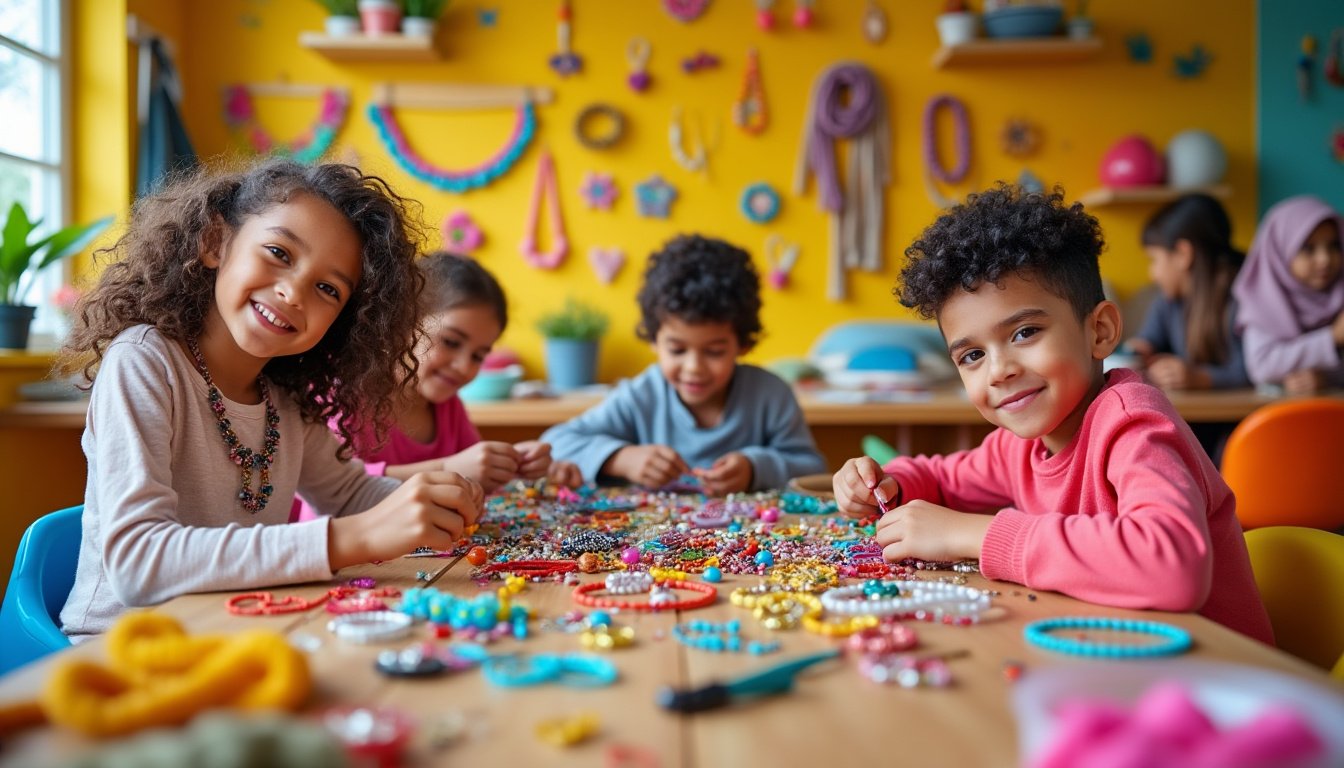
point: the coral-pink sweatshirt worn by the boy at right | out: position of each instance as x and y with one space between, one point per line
1131 513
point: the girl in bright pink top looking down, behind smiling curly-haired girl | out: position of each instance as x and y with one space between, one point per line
463 313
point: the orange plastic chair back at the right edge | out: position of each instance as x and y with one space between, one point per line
1286 463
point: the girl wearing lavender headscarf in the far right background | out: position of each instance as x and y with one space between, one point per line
1291 298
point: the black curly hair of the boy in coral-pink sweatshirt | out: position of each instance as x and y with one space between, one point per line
1006 232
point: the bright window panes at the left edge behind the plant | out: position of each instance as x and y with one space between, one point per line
33 135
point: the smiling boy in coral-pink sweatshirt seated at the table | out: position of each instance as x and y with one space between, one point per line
1093 485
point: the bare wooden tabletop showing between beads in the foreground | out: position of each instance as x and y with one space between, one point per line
834 714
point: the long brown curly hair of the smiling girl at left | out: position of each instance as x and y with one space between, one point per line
157 278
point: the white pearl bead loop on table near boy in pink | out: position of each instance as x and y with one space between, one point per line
920 601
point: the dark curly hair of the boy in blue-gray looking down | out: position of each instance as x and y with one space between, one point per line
701 280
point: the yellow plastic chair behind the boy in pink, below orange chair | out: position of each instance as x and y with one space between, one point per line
1300 575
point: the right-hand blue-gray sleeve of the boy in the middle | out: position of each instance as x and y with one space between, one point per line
788 450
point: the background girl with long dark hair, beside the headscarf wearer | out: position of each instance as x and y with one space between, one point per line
1187 341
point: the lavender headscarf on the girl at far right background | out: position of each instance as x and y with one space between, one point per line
1268 297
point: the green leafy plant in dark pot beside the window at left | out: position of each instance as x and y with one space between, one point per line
21 262
